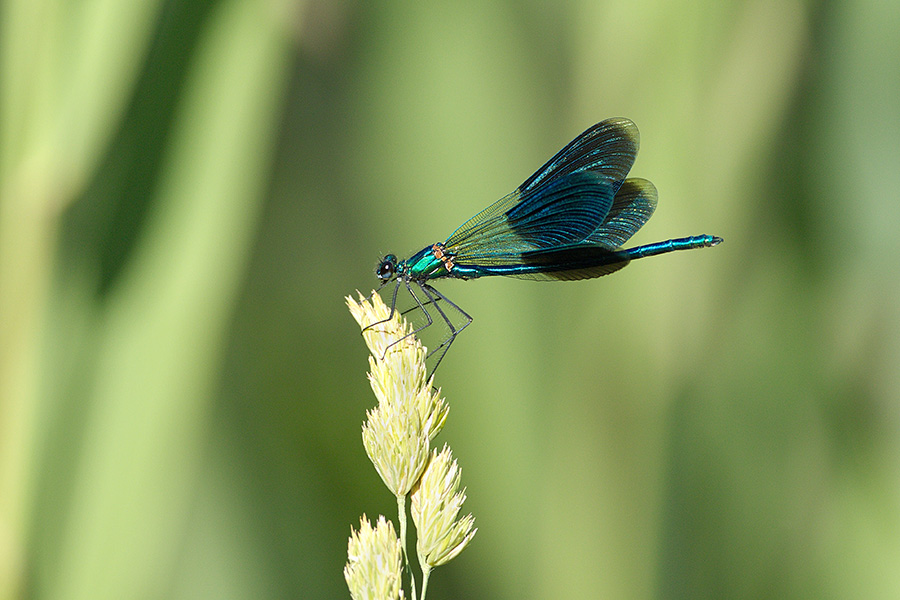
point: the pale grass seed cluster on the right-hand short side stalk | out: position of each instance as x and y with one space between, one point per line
435 505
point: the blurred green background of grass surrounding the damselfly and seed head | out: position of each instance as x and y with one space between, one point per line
189 189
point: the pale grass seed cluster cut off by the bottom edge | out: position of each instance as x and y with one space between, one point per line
374 562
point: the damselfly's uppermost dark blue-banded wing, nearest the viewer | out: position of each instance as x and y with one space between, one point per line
563 203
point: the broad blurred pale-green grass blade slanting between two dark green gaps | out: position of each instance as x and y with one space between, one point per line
165 323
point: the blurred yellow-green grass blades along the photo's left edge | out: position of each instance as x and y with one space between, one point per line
66 71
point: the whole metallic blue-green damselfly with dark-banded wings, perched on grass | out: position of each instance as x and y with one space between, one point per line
568 221
